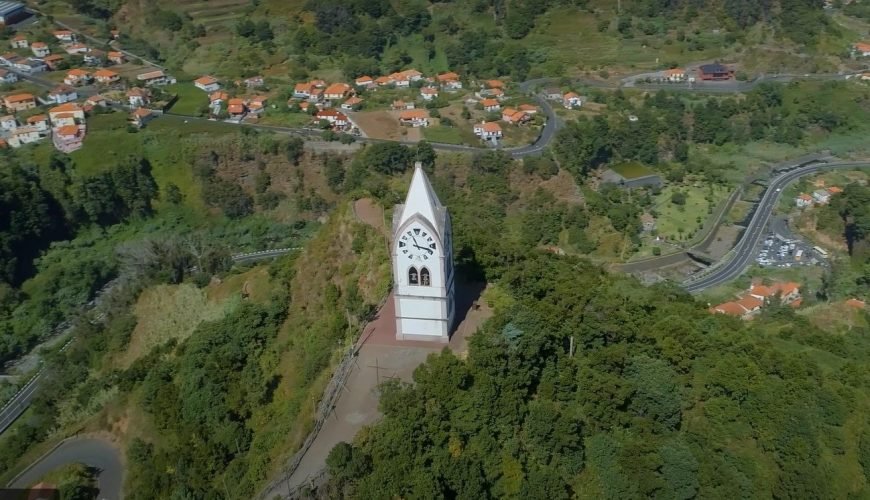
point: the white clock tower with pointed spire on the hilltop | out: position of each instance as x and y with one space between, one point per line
423 264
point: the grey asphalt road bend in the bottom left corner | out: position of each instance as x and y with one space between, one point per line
92 452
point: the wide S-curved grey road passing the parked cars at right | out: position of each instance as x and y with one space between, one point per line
744 251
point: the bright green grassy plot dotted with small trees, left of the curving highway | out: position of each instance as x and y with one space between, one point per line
671 217
